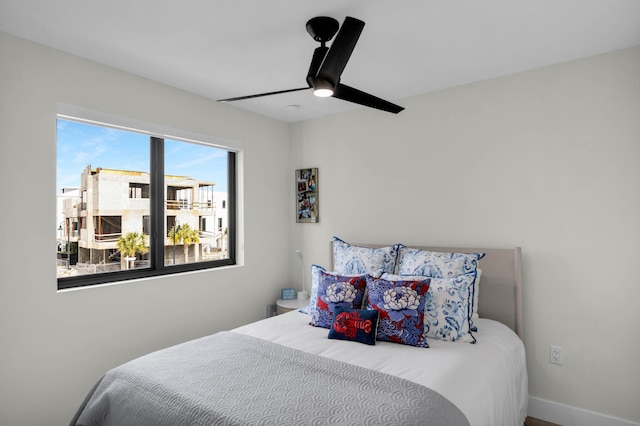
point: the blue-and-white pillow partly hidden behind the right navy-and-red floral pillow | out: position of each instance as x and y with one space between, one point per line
448 307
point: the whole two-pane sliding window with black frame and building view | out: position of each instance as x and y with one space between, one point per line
132 205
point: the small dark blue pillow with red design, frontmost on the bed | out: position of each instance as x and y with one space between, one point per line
359 325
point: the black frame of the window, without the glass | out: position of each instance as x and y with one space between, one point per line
156 237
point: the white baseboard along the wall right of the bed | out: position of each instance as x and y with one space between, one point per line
571 416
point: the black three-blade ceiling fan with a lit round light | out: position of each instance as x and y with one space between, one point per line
327 64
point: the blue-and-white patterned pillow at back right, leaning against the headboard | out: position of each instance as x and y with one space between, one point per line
436 264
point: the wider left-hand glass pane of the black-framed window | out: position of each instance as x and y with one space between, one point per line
103 199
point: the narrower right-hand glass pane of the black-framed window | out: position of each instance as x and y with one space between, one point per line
196 203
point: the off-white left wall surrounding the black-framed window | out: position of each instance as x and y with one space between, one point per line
54 346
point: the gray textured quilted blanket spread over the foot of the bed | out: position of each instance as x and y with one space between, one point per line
233 379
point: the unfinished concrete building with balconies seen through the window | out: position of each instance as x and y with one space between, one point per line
111 203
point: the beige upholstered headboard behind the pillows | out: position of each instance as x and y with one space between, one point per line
500 295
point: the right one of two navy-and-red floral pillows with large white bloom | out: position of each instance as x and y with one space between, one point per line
401 305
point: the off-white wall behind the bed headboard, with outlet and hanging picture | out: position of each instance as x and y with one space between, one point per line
546 160
